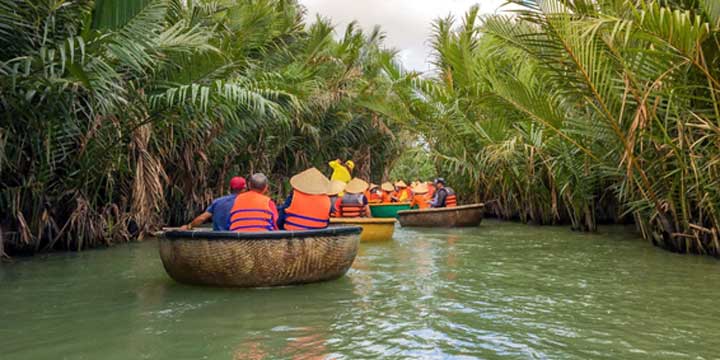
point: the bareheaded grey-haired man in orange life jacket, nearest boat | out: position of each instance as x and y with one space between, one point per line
253 211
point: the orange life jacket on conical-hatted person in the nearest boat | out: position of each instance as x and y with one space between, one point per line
307 212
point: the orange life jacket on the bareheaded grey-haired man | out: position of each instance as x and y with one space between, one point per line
251 213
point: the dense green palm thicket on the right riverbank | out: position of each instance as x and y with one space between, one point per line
583 111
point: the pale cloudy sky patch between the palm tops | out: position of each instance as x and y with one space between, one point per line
407 23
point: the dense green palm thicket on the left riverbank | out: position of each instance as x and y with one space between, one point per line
119 115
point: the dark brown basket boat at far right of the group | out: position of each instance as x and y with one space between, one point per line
459 216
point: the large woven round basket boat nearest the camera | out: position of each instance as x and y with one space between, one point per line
230 259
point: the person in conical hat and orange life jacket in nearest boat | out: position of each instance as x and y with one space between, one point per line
308 206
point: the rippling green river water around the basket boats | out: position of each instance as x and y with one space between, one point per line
502 290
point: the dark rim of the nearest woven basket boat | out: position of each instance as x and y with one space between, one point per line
173 234
